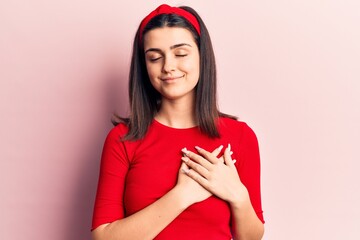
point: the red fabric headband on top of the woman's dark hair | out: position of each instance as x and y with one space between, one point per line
166 9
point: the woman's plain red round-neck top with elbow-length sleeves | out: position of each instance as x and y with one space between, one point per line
134 174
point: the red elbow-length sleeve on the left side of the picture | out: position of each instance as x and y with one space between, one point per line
113 168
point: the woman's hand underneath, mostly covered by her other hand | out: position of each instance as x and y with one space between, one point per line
191 191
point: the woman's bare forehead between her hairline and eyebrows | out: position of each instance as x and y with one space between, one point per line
167 36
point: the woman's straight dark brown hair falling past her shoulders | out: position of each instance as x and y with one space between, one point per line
145 100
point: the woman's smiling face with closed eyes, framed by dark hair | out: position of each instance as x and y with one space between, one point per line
172 62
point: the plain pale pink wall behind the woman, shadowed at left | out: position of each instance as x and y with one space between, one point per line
291 69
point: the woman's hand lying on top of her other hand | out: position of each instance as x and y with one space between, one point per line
219 176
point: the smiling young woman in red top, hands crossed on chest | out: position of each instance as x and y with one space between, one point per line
164 171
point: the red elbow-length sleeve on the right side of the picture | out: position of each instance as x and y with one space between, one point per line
249 168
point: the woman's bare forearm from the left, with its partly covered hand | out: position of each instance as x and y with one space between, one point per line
150 221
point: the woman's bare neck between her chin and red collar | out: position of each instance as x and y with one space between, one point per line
177 114
